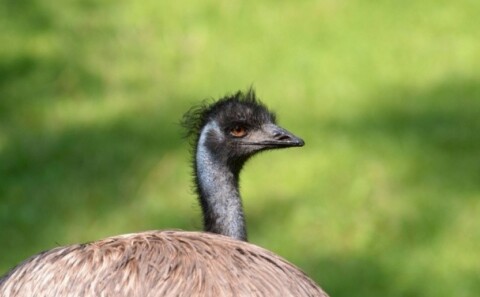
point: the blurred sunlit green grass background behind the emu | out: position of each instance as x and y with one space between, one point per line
383 200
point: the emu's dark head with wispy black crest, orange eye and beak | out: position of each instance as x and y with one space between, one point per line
236 127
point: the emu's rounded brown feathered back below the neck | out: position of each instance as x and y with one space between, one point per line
159 263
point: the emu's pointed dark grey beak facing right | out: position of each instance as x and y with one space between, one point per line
273 136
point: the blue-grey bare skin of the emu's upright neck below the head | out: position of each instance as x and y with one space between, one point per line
217 185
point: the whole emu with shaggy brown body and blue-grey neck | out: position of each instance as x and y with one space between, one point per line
216 262
